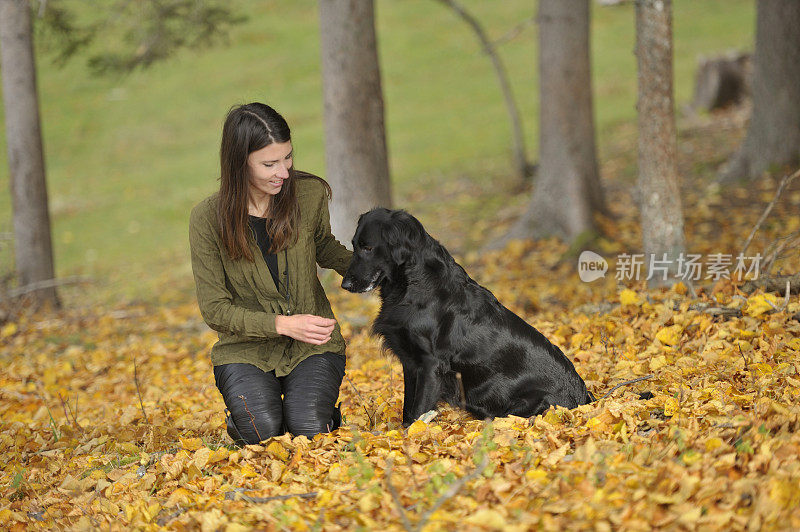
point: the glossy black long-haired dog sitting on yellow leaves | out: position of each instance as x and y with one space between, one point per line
439 322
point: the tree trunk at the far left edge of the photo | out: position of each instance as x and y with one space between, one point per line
32 244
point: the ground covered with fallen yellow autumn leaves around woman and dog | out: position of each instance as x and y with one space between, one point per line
110 417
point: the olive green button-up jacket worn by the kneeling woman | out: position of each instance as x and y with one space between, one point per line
239 299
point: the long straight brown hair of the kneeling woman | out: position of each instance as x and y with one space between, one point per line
249 128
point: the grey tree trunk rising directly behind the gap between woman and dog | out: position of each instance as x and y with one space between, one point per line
355 142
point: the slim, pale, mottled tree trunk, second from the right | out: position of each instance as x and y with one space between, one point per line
659 191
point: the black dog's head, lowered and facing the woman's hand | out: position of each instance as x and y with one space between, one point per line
384 242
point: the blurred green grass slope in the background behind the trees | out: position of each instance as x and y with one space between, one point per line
128 157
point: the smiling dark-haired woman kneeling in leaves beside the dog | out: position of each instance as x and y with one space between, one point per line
255 247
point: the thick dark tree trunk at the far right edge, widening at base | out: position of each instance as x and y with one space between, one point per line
773 136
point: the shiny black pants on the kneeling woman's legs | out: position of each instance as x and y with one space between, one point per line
253 397
